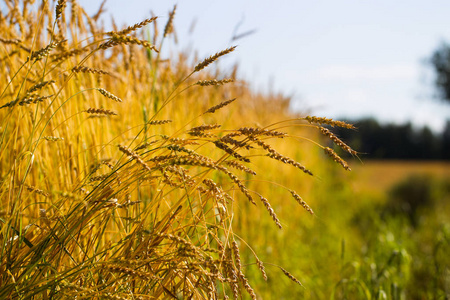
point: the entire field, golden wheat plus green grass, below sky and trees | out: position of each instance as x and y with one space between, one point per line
129 174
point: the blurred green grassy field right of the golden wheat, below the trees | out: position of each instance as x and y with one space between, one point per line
369 240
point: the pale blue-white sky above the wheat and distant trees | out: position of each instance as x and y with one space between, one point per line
339 59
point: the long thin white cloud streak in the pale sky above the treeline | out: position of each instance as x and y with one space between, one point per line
358 72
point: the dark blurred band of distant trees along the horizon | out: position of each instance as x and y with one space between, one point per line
393 141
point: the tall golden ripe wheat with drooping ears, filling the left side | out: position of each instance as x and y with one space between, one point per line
120 169
